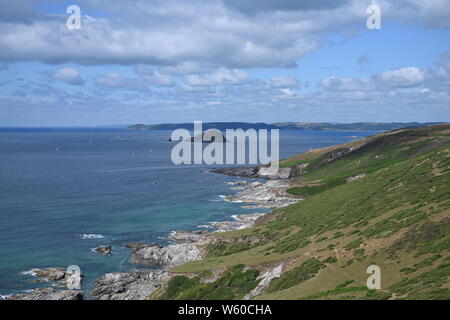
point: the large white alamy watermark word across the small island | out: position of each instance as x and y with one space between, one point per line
230 148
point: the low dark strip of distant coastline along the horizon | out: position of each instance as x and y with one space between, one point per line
357 126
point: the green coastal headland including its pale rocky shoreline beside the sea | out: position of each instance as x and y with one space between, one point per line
382 200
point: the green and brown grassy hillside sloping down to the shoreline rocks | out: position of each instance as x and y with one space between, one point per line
382 200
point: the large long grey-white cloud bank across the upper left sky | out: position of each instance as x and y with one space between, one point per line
210 36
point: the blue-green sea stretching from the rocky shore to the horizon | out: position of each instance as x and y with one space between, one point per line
64 192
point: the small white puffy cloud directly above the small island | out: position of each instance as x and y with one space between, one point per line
222 76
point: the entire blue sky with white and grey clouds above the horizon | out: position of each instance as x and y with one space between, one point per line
158 61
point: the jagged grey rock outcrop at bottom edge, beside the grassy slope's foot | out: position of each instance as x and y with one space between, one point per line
135 285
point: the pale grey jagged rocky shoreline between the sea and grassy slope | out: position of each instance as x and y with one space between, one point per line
185 246
